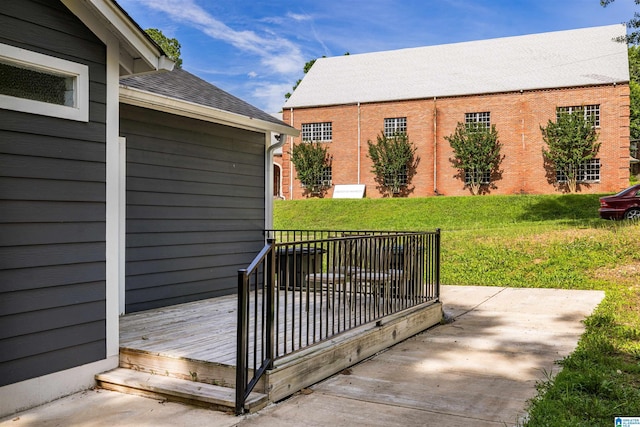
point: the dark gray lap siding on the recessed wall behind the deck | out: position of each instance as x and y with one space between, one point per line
195 207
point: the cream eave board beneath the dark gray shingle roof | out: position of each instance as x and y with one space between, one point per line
146 99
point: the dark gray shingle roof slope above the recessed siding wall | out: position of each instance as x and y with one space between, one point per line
182 85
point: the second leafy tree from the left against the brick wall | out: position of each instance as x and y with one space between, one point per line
393 162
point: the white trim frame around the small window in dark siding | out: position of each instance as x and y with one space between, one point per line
48 64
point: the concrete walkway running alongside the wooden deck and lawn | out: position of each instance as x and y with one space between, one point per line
478 369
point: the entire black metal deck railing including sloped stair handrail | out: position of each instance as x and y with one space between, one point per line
314 285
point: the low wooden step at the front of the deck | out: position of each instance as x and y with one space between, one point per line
175 389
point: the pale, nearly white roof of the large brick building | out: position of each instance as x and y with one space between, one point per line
571 58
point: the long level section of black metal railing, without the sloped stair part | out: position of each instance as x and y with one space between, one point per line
337 281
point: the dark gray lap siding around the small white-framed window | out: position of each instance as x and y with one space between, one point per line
52 209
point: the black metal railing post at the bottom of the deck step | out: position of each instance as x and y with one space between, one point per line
242 333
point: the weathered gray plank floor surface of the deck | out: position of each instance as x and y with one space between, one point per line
206 330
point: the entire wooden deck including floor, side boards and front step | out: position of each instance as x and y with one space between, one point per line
194 346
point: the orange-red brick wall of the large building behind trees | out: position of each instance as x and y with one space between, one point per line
517 116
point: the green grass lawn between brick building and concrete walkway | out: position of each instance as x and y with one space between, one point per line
554 241
